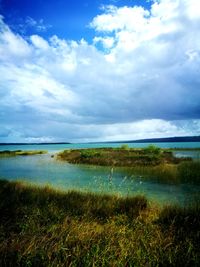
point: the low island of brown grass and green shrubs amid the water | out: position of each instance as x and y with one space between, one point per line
124 156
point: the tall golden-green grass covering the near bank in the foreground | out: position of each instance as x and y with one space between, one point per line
43 227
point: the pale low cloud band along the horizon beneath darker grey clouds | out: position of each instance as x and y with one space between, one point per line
52 130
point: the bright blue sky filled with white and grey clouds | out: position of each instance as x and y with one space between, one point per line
81 71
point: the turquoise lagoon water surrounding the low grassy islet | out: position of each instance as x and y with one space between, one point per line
45 170
